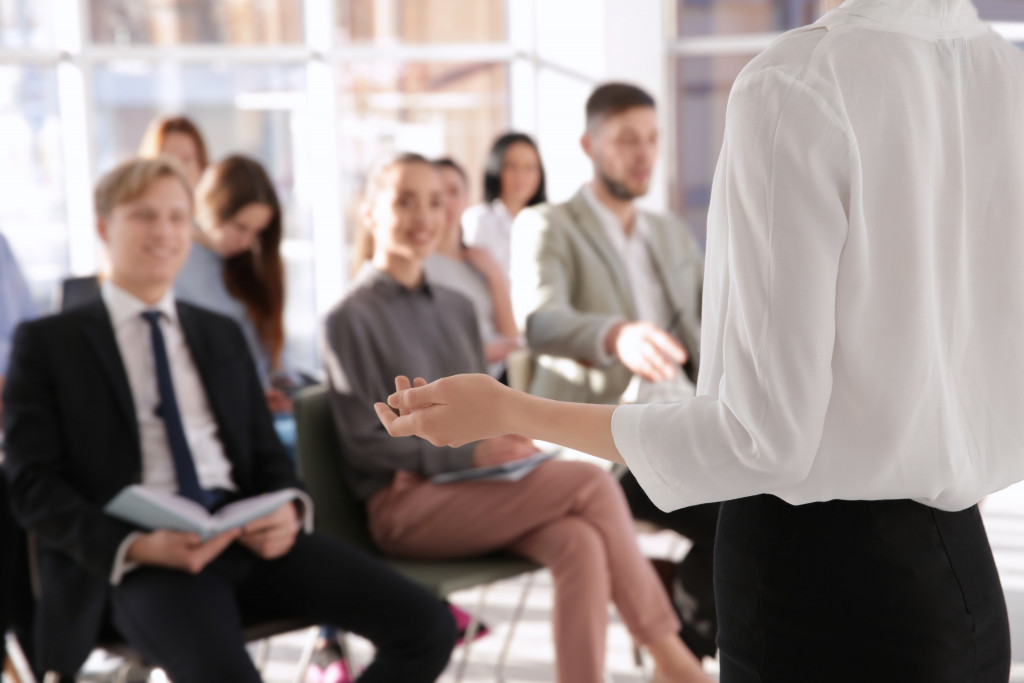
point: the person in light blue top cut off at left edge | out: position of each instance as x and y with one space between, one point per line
16 595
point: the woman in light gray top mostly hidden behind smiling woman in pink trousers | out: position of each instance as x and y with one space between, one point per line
474 273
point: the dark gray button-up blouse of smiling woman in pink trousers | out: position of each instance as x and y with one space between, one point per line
378 331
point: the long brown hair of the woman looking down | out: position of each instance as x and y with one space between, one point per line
255 278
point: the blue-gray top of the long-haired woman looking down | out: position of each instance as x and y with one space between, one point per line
201 282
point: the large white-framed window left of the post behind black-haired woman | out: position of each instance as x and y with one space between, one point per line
316 91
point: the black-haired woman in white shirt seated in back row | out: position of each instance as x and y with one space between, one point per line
514 181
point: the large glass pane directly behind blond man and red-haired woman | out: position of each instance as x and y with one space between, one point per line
251 111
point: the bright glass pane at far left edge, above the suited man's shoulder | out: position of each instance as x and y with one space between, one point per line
33 214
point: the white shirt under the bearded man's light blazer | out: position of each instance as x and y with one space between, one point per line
650 298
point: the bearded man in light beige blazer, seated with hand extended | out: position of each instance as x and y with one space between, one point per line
610 300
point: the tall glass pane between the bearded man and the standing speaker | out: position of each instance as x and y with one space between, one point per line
704 86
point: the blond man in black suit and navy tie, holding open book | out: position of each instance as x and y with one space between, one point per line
138 389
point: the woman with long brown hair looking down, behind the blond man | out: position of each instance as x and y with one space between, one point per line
236 270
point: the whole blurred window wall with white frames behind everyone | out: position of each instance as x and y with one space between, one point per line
317 90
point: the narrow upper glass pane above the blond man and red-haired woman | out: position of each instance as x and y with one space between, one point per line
187 22
